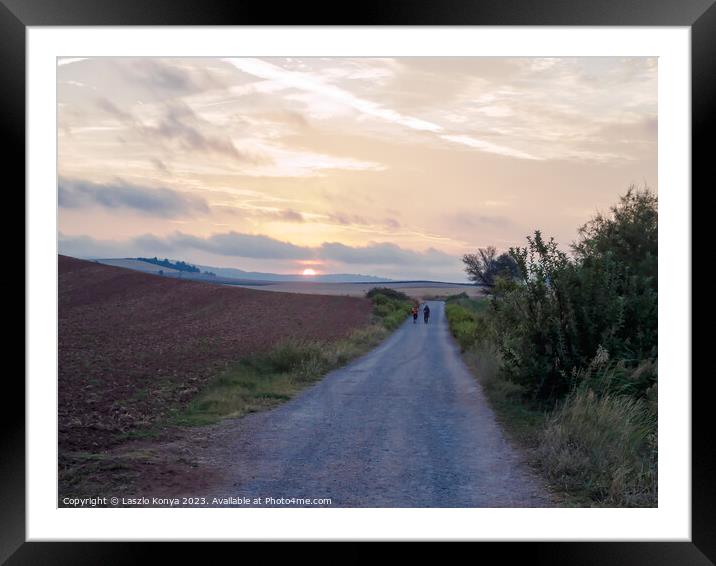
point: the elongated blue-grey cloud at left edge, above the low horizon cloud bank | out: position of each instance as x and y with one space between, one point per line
161 202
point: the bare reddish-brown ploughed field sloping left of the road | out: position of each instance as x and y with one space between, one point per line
133 345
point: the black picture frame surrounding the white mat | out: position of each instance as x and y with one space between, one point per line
699 15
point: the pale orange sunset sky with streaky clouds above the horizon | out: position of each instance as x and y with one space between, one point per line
388 167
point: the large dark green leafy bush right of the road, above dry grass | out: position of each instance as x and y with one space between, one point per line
553 319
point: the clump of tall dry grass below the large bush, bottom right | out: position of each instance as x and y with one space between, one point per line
602 446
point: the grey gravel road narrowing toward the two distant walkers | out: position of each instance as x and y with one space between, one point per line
406 425
